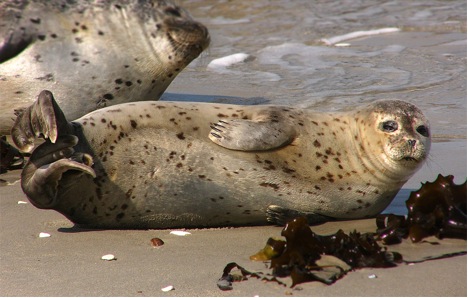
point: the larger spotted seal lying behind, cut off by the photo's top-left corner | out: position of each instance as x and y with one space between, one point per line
92 54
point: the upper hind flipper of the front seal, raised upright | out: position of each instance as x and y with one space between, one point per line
43 118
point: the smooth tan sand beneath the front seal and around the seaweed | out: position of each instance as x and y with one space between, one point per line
69 262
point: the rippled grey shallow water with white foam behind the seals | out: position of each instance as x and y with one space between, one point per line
424 63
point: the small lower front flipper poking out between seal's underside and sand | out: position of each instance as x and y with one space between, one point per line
280 216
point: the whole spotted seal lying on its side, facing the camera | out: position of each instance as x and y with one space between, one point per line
180 164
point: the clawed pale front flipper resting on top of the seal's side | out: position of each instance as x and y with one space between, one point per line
250 135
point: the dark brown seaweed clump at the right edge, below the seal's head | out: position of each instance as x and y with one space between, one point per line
437 209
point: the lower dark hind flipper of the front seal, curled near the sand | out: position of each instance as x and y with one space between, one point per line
41 176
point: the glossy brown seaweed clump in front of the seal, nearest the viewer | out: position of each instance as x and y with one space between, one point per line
306 256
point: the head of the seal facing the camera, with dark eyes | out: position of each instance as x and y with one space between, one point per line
402 132
